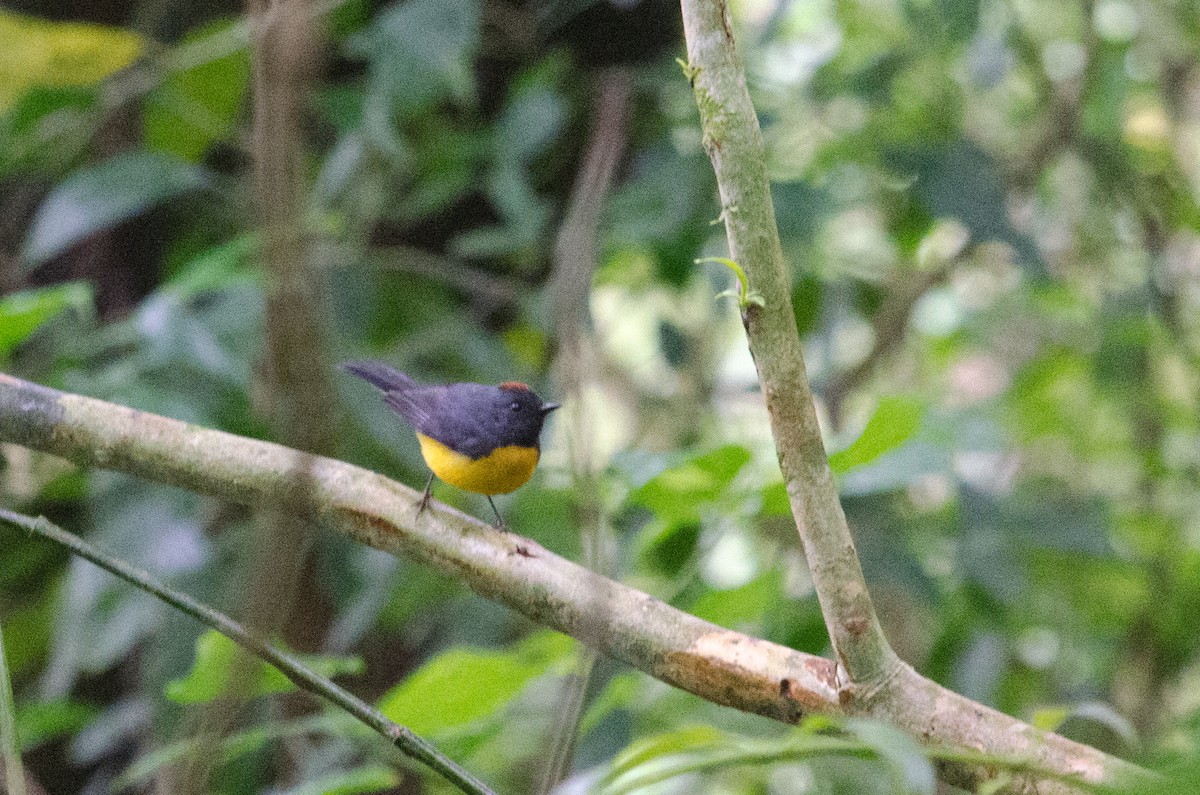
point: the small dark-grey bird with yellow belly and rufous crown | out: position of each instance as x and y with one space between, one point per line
479 438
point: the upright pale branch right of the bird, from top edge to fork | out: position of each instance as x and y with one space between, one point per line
734 144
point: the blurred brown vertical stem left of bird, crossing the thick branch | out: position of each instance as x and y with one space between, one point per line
295 392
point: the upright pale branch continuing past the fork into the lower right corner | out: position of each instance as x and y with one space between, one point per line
879 684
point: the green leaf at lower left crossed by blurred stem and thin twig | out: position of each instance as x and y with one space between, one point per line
214 662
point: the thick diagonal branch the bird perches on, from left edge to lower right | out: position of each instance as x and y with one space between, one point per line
717 665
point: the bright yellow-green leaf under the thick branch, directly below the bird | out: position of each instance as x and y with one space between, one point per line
464 686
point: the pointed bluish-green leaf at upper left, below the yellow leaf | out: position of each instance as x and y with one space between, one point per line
94 199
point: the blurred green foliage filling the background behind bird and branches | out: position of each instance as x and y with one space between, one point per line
991 213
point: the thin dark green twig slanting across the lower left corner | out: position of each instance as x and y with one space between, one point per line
297 672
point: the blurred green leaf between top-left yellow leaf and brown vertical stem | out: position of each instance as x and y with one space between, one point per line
195 107
